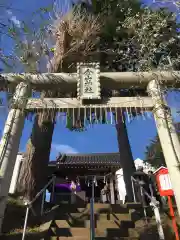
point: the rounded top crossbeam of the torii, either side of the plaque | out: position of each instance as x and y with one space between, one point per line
111 80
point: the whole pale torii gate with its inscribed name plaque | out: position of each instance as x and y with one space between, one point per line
87 81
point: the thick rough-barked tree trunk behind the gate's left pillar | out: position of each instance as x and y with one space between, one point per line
33 175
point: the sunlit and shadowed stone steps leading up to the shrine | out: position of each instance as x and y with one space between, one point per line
112 222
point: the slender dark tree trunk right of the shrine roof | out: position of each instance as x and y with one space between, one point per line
126 160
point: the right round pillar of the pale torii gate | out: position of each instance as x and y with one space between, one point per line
167 135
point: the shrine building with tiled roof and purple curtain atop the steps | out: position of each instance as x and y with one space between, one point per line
81 169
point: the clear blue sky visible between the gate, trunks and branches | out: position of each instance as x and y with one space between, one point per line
99 138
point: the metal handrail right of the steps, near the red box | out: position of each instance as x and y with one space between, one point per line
154 204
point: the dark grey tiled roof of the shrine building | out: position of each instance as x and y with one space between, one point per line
108 159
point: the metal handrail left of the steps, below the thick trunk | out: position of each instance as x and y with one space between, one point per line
29 204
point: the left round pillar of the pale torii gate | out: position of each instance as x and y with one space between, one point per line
9 144
